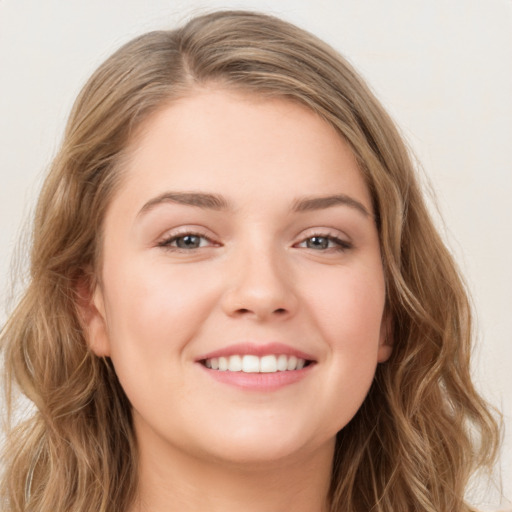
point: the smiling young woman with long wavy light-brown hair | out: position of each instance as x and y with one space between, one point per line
238 299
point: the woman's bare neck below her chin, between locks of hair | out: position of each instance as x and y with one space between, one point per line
172 480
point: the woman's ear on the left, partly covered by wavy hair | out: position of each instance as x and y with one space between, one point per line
91 311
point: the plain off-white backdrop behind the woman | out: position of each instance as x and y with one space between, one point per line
442 68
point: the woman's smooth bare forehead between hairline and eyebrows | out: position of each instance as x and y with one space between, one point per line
240 144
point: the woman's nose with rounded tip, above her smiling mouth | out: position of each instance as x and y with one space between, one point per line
259 286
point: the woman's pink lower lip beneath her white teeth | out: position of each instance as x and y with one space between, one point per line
259 381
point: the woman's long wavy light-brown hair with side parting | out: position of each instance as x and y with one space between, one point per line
421 431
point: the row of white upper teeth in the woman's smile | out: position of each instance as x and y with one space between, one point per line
253 364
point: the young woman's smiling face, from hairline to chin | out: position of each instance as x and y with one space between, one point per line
241 295
